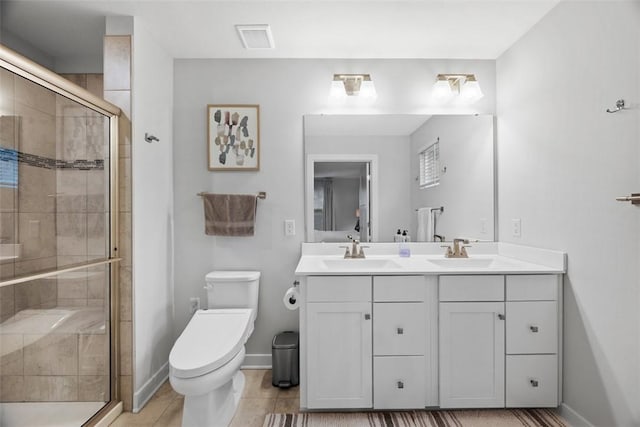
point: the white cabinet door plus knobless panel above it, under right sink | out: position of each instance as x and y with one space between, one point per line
471 341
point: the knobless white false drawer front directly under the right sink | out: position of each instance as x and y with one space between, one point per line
471 288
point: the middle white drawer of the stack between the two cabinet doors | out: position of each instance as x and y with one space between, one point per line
399 329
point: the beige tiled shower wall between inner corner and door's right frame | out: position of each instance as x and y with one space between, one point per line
82 197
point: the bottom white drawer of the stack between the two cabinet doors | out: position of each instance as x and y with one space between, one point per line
399 382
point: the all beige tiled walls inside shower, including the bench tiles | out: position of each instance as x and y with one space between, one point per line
59 217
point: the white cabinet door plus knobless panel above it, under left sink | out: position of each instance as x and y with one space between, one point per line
338 319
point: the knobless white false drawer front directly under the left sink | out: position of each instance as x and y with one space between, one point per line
338 288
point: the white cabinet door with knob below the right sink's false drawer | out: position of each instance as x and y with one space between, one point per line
472 355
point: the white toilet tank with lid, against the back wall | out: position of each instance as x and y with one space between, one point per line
233 289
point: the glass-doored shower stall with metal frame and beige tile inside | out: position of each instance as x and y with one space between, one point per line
58 248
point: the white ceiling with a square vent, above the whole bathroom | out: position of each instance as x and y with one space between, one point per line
471 29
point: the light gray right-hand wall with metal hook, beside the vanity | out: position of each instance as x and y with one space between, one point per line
562 161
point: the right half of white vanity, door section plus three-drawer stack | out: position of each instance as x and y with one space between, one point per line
500 341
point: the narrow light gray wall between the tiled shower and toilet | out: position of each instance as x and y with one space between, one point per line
152 207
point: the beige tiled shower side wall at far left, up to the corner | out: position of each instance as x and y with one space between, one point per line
27 217
